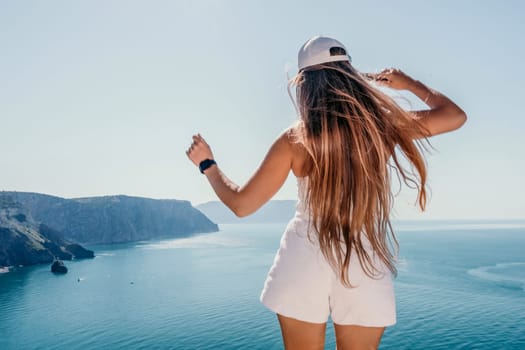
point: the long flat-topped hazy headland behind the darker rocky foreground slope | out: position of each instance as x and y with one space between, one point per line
115 219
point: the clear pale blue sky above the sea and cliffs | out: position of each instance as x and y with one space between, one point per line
102 97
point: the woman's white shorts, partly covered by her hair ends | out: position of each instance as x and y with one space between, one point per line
302 285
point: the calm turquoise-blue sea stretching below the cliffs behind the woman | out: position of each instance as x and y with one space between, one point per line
461 285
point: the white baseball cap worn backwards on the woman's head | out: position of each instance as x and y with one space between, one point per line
317 50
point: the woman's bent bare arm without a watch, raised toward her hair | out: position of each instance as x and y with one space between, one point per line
443 116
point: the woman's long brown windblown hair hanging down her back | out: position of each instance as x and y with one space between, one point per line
355 135
